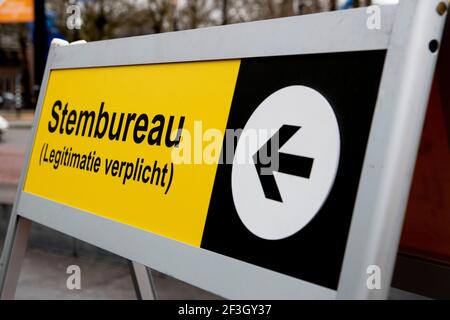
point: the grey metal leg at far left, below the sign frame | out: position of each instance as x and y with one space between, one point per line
13 254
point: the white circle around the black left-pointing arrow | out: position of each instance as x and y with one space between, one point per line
302 198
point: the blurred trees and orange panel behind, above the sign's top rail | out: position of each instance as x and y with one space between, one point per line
27 28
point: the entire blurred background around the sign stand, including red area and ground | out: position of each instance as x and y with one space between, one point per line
26 30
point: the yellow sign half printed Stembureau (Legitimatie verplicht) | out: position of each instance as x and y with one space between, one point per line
106 138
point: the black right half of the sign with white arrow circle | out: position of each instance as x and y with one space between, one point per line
311 190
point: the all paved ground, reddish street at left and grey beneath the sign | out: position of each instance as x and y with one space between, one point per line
43 276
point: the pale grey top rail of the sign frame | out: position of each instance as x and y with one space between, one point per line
339 31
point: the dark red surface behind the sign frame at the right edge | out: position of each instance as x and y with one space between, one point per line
426 231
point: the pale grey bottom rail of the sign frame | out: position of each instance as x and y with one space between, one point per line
222 275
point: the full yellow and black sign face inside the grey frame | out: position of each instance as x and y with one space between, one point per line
107 143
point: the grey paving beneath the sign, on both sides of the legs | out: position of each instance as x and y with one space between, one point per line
103 274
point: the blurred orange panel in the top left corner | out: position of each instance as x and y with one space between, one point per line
16 11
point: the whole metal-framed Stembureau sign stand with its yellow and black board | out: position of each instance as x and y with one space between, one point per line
344 94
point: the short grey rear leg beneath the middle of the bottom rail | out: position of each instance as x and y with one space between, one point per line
143 281
